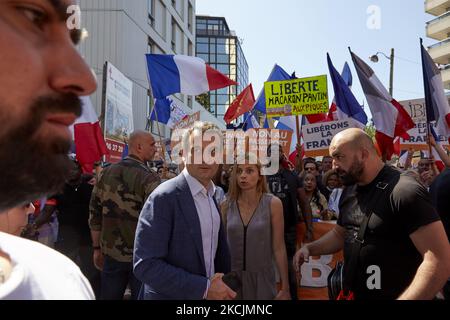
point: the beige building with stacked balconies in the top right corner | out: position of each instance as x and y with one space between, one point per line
439 29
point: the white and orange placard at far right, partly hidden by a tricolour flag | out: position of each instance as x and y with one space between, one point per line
418 135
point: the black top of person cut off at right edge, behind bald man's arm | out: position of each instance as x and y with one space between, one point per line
440 195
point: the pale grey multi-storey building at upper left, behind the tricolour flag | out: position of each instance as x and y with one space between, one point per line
122 32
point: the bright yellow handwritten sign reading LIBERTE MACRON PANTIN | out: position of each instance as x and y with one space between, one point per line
297 96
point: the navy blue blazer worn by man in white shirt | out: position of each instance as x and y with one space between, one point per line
168 251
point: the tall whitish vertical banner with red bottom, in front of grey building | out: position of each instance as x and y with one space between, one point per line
117 110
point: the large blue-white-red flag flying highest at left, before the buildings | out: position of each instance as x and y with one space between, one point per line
171 74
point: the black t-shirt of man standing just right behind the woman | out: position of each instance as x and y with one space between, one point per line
284 185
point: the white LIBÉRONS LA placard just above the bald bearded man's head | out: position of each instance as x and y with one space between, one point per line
317 137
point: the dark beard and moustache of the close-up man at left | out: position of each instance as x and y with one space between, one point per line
32 165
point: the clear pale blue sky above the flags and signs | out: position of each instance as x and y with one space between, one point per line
297 34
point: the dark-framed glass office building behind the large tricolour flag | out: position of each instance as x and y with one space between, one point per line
221 49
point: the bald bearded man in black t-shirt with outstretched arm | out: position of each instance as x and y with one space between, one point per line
404 252
